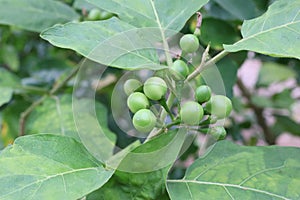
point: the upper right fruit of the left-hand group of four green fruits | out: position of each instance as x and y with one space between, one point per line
155 88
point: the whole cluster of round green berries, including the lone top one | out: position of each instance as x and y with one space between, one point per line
199 113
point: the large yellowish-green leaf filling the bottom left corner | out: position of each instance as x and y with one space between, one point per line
53 167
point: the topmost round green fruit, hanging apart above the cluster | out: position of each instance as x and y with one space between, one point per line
189 43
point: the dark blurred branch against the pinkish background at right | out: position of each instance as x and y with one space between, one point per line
269 136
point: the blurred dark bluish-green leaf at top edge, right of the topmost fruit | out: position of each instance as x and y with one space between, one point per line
240 9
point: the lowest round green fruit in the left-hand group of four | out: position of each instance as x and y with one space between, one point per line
144 120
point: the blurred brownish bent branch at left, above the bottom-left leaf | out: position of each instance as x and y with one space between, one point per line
54 89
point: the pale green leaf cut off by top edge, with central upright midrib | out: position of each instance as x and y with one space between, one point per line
167 14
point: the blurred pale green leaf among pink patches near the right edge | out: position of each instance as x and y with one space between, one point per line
273 72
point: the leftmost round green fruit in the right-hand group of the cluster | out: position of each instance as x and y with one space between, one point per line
191 113
